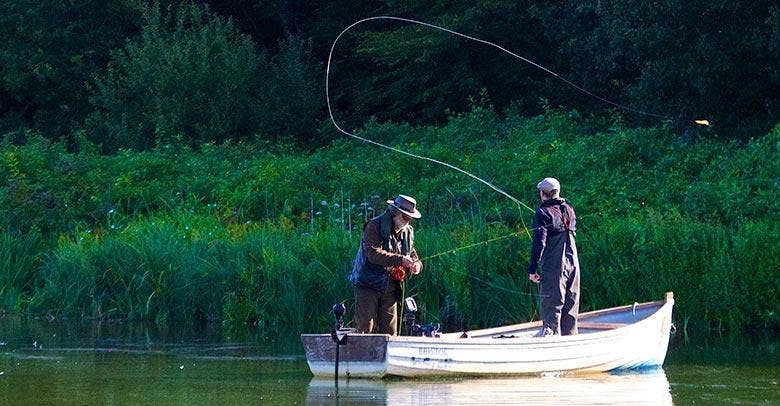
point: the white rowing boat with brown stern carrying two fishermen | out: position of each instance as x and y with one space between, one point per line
626 337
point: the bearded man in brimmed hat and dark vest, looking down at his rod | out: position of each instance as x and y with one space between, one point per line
386 256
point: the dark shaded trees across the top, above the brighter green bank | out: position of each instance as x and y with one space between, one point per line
136 72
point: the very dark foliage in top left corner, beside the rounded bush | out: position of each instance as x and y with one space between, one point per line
51 52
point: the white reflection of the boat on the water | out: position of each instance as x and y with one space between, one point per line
630 387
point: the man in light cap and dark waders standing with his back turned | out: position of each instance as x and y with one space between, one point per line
554 251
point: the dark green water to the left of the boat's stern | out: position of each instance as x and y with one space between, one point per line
92 363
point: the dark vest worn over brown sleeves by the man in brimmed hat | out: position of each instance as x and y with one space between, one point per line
366 274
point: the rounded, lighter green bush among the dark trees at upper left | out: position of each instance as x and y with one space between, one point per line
190 76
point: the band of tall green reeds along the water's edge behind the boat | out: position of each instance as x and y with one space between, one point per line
192 267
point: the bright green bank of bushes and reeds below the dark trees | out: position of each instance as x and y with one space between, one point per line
244 233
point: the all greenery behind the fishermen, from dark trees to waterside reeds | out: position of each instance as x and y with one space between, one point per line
174 160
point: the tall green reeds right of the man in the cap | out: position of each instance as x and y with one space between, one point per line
721 277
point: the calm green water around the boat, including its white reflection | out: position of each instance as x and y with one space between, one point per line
45 363
